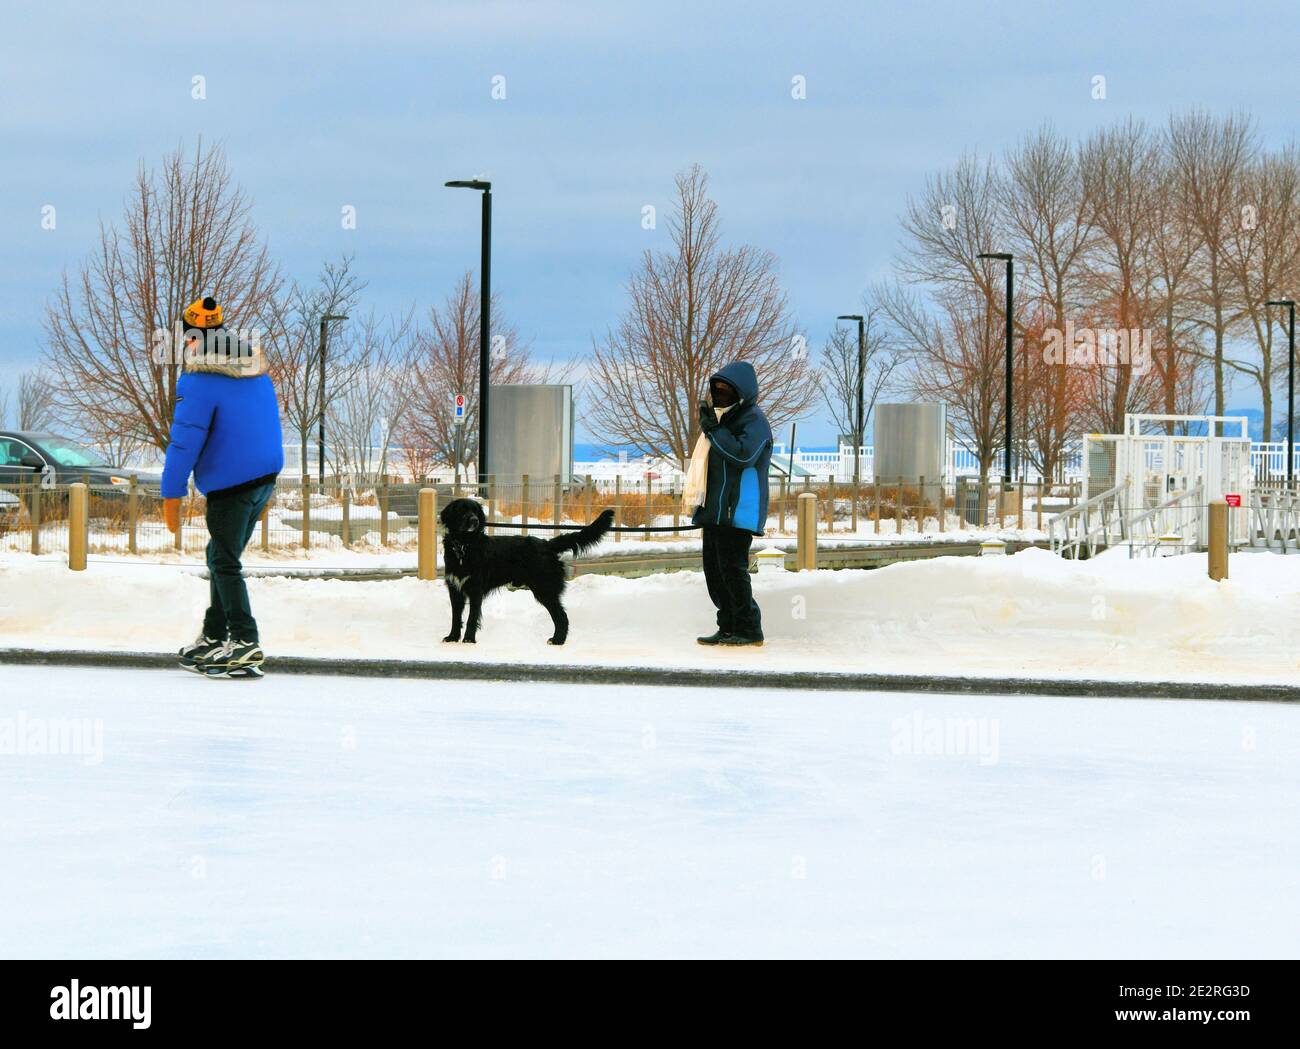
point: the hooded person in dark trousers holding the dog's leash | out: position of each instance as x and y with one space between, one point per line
735 505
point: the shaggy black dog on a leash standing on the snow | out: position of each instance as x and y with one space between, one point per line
476 565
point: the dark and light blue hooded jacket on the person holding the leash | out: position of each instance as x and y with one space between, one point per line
739 453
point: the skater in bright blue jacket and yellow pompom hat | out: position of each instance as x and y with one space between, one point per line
227 432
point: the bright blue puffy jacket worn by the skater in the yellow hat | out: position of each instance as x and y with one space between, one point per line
227 431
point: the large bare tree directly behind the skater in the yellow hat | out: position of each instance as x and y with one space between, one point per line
188 232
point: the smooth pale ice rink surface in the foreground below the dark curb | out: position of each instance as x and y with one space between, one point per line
310 817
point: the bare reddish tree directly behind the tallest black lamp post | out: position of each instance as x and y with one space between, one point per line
443 362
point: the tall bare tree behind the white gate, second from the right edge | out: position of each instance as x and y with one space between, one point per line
1208 157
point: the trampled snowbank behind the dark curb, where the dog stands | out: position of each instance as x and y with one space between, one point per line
1032 614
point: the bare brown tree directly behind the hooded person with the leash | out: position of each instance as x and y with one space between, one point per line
694 310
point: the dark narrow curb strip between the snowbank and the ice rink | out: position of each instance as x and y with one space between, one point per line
688 677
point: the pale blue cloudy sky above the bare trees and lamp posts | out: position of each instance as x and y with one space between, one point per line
376 105
